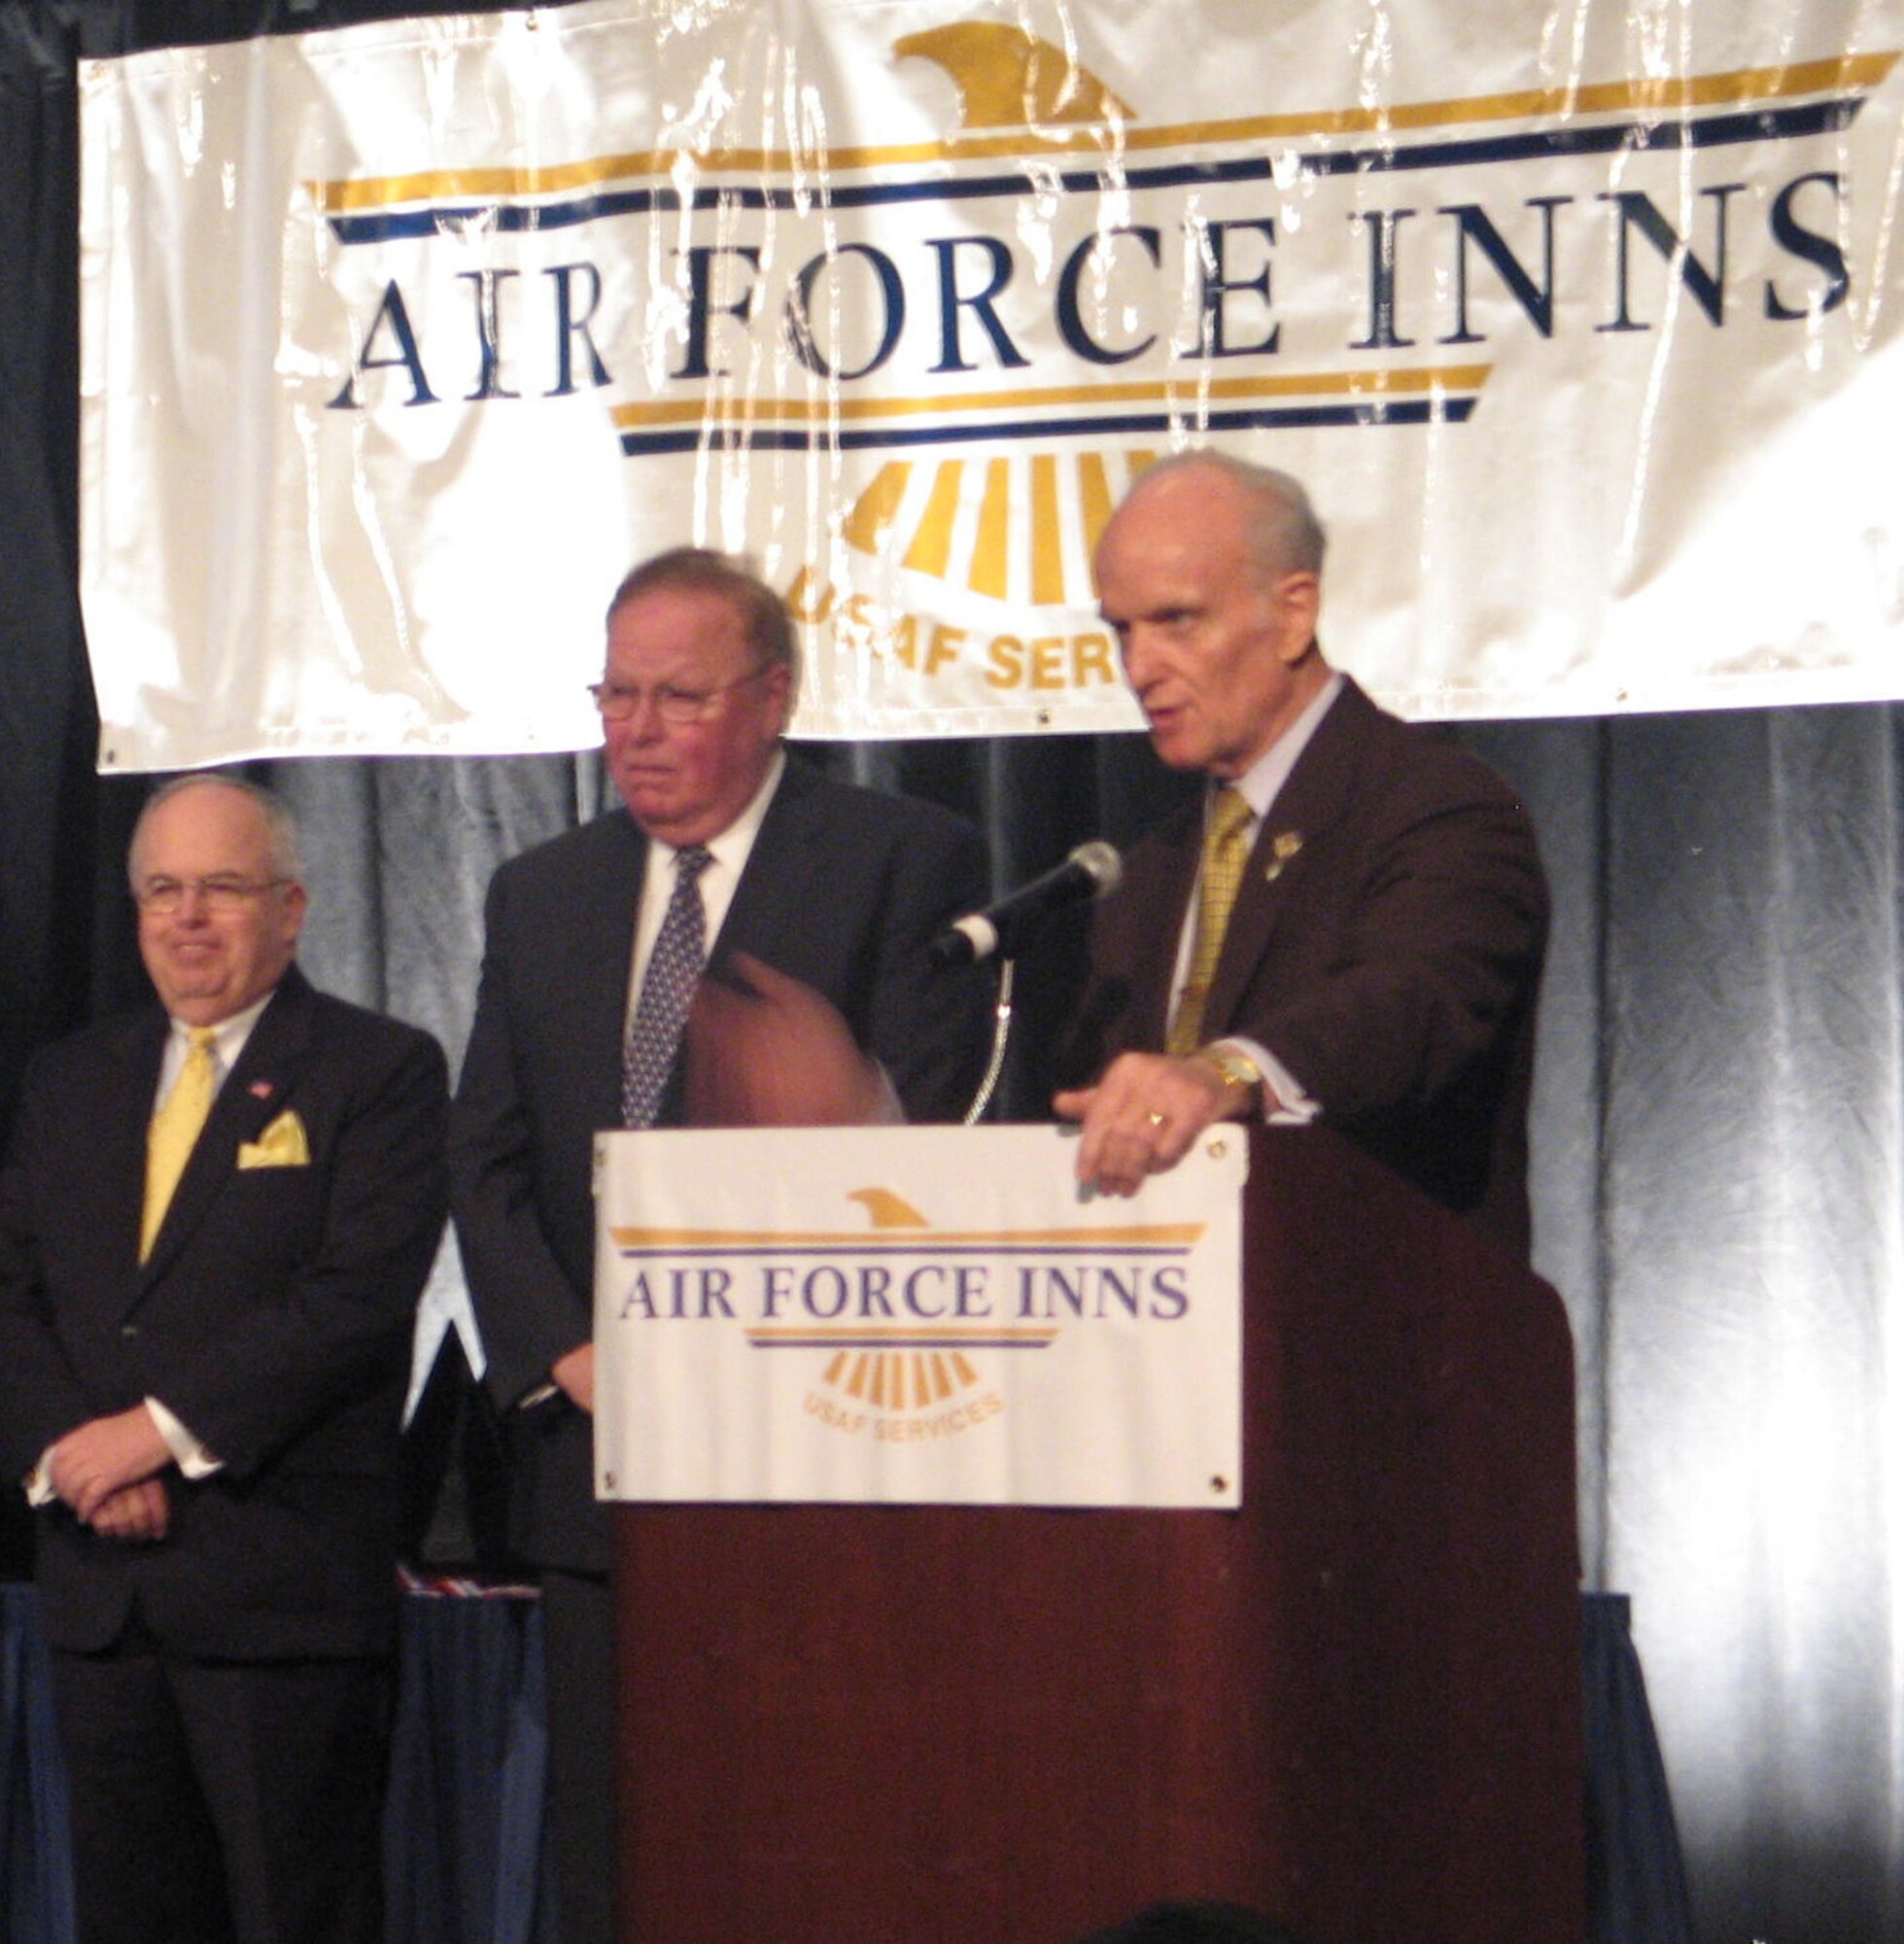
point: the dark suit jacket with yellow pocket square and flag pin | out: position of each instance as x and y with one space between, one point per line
273 1319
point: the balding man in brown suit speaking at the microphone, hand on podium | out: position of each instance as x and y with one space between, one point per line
1349 926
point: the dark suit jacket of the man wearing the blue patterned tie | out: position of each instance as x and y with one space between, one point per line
844 889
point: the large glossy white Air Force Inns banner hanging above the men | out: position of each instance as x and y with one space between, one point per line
403 343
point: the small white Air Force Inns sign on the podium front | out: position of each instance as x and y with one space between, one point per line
914 1317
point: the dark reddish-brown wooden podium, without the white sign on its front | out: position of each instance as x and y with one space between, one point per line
1355 1704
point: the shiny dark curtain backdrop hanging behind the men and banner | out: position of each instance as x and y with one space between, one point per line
1718 1146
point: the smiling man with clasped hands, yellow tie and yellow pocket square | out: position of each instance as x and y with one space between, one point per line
215 1228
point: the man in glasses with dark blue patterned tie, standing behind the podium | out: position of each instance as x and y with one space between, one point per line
595 942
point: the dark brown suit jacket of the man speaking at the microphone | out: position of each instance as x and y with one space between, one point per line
1390 961
